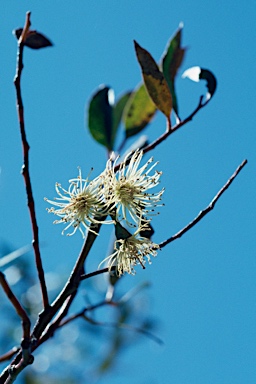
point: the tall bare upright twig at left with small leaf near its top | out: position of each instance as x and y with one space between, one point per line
25 167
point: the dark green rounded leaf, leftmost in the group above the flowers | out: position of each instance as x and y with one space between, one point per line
100 118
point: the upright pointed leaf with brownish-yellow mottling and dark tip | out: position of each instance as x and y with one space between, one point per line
154 80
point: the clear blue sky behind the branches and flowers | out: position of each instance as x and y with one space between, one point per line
203 286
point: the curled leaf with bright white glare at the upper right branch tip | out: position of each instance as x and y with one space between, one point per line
197 74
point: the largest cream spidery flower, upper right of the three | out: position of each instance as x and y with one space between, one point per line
127 189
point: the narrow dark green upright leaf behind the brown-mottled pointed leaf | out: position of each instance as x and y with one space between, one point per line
171 61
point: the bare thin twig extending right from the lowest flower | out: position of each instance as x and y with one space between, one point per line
206 210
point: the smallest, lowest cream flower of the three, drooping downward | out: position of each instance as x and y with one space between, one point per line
131 251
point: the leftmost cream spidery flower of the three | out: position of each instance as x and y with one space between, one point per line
80 205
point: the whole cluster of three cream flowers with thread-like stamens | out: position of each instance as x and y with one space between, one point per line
123 194
